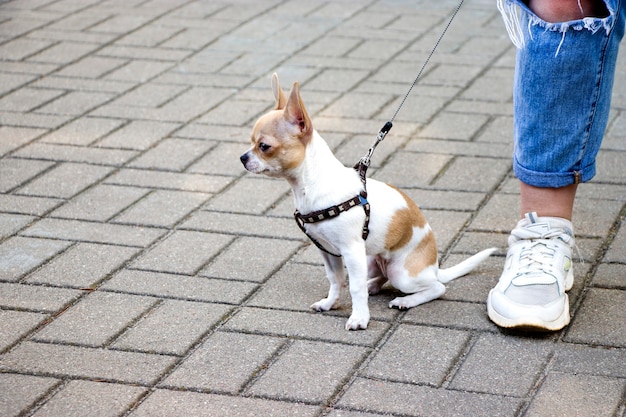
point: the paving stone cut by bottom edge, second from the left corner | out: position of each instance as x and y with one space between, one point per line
88 398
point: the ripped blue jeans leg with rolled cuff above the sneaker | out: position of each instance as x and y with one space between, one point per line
562 92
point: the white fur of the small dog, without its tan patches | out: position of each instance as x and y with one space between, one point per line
321 181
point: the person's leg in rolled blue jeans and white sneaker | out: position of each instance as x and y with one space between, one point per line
563 81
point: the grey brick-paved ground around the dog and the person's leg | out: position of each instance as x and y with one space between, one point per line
144 273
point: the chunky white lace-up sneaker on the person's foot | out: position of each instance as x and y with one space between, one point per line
537 272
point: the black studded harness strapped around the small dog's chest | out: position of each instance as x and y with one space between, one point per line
334 211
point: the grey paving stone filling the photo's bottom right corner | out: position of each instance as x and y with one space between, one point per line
575 395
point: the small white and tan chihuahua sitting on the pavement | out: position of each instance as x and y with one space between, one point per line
400 246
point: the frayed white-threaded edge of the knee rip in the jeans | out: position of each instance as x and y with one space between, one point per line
510 10
